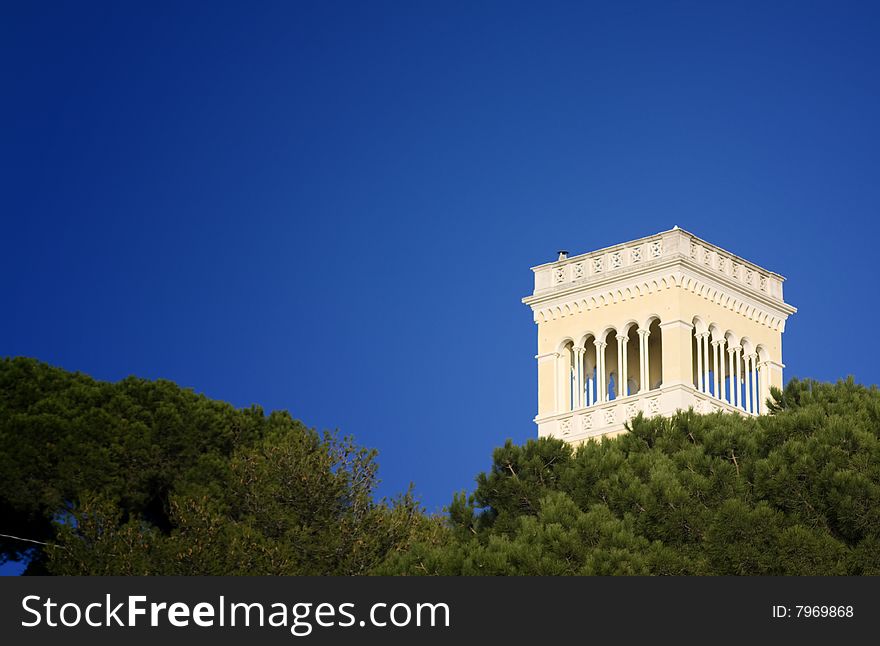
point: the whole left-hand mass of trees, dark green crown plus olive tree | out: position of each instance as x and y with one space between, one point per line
144 477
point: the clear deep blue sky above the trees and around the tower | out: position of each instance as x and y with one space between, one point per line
333 207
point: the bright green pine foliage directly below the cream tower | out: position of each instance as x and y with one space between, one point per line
794 492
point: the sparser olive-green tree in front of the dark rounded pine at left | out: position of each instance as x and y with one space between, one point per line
295 503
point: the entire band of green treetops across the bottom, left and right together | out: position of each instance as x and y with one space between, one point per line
142 477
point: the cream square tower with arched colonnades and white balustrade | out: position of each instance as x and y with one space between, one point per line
659 324
